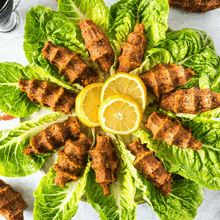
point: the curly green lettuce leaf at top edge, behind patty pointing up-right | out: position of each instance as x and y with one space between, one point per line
125 14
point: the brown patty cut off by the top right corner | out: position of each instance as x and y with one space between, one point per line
199 6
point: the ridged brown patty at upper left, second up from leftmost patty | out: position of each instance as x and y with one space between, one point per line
69 64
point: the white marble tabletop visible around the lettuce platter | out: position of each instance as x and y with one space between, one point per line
11 49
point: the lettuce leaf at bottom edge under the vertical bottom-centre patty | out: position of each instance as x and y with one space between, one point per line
120 204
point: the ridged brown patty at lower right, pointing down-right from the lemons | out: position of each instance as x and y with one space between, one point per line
152 169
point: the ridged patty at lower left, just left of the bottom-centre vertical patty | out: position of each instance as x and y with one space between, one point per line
72 159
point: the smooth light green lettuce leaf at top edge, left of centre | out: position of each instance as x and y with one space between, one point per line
77 10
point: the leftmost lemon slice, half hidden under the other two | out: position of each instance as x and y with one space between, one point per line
87 104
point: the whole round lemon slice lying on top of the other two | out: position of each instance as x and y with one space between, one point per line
120 114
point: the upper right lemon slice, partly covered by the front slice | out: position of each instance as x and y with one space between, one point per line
125 84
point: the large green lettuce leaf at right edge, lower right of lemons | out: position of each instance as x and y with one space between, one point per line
201 166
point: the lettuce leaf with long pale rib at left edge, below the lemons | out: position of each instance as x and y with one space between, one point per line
13 163
